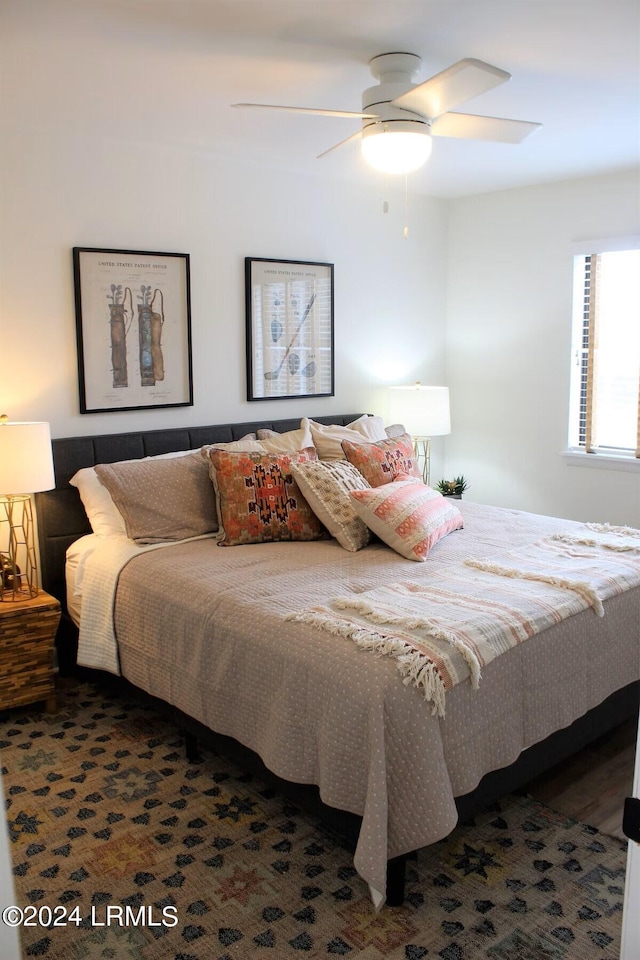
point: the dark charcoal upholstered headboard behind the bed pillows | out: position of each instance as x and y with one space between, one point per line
61 516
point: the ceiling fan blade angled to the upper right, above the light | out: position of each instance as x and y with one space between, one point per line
461 81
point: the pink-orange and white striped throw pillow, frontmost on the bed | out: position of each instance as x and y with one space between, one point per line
407 515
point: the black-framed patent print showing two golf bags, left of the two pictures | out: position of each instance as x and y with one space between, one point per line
128 358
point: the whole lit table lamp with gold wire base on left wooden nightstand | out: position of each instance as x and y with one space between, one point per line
26 467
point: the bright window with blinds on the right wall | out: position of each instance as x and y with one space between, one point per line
605 383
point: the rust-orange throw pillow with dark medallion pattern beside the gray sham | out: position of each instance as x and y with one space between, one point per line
259 501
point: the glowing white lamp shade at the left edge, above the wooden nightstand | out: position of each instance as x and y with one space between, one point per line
26 463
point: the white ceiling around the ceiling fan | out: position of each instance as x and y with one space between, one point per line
168 70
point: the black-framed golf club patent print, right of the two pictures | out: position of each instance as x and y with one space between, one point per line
290 328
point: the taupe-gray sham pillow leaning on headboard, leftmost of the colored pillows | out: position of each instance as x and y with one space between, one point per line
162 499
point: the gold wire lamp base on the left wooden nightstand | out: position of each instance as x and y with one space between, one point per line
18 567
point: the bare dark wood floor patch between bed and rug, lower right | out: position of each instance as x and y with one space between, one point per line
592 785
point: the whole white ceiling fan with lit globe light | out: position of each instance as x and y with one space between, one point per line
399 117
